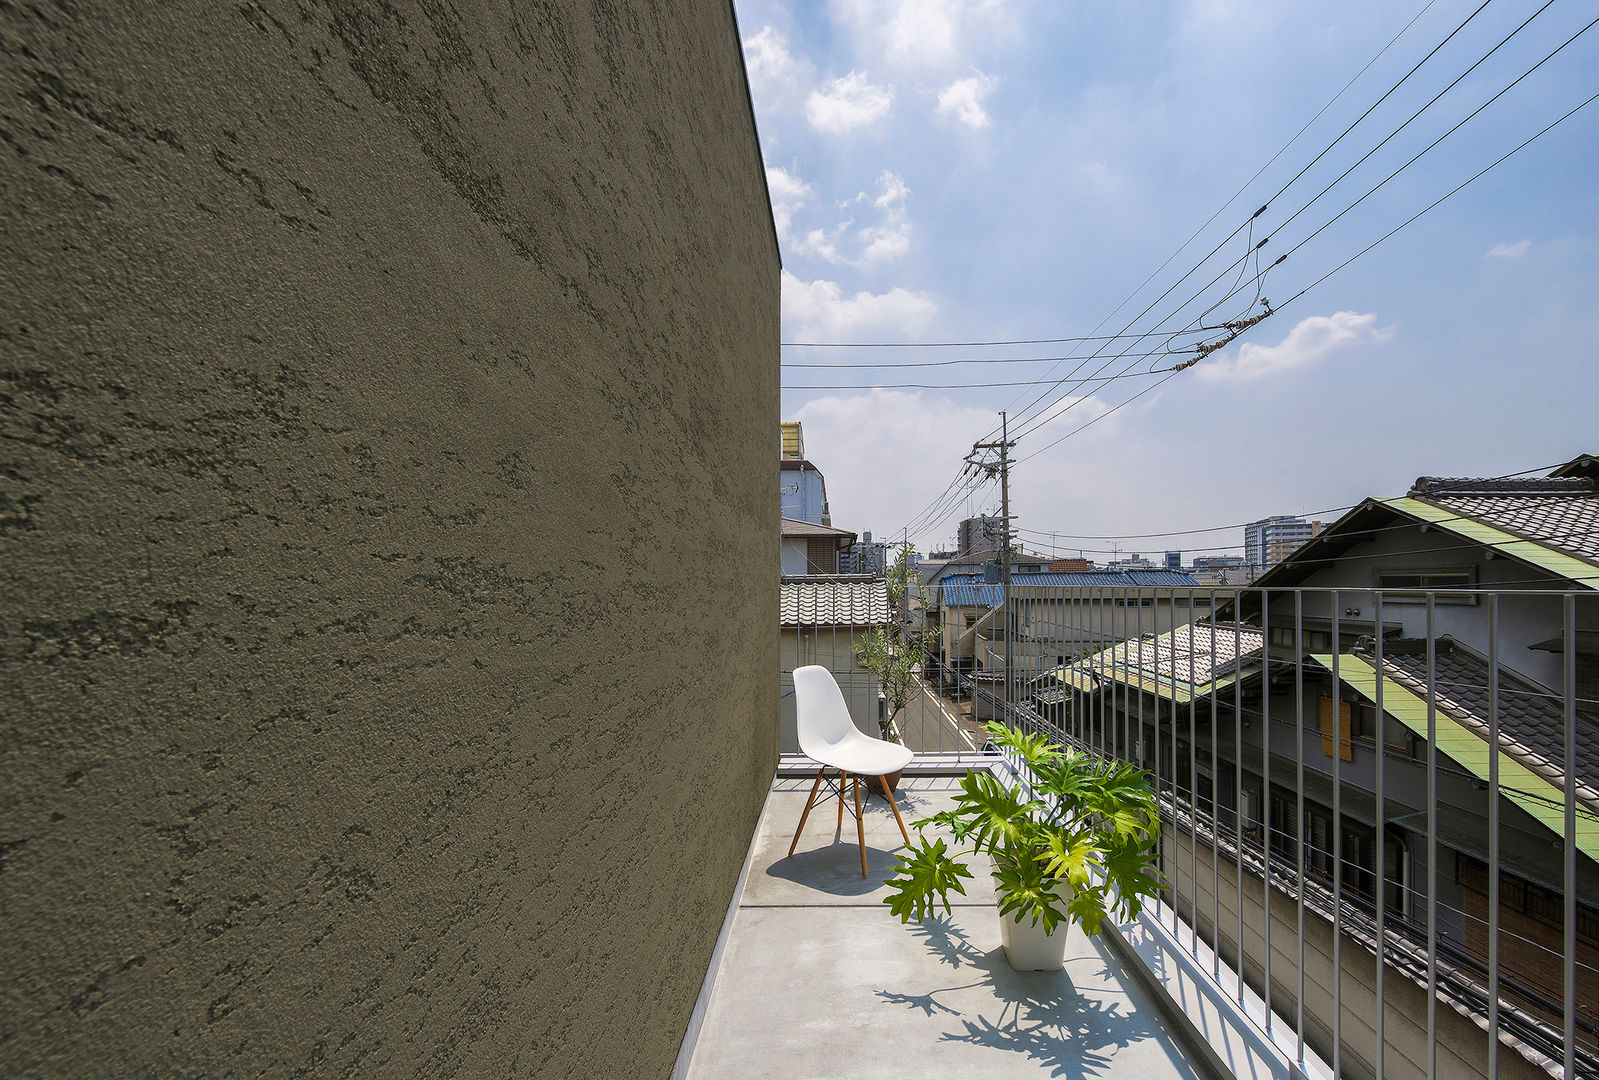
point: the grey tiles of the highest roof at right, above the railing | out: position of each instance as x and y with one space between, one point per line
1560 513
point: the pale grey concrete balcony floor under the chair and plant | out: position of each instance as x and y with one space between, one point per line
819 980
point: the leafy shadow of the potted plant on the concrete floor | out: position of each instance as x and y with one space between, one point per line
1040 1014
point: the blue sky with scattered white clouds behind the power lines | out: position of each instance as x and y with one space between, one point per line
975 170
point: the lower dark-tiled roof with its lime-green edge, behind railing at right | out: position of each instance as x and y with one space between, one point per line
1528 775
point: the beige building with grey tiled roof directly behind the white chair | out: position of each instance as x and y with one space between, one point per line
823 622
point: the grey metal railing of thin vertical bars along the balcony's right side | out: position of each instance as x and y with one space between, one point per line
1261 719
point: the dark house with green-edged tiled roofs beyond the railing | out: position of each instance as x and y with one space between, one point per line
1298 678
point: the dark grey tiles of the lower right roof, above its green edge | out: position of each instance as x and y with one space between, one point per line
1533 721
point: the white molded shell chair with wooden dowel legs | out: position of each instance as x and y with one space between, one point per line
831 738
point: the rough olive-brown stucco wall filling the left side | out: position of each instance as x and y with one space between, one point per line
389 398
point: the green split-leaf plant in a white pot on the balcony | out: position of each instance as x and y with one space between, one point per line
1075 852
